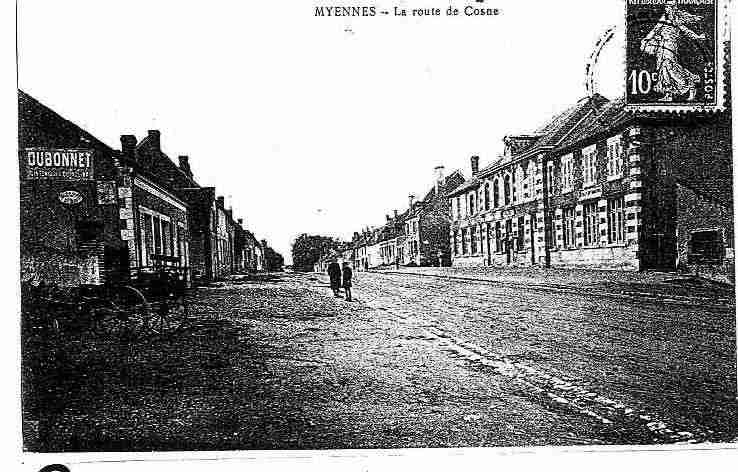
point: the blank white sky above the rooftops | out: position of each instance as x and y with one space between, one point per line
313 124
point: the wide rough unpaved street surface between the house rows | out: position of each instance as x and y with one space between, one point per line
412 362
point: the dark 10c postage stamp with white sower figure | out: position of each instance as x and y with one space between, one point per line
675 55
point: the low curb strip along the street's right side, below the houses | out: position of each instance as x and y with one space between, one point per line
720 303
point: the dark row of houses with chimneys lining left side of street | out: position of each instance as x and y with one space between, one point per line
91 214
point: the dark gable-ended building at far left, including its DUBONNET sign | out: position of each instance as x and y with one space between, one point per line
69 207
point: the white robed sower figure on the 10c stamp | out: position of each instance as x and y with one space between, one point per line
663 42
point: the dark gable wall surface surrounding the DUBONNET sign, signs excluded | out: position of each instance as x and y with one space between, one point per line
51 243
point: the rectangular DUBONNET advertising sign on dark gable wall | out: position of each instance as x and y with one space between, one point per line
58 164
